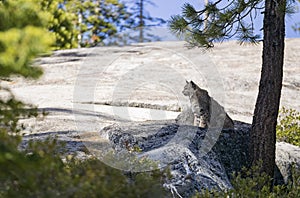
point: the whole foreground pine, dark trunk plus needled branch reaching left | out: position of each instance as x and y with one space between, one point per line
217 22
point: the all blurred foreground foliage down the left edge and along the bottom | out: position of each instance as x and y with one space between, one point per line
39 171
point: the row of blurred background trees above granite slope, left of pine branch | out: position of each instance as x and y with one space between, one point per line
76 23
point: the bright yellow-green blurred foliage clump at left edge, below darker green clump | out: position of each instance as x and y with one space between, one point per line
32 41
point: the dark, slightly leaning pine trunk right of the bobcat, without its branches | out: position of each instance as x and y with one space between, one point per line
263 133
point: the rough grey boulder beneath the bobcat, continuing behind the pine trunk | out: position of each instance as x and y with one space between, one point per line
186 151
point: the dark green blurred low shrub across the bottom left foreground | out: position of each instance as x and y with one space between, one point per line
40 172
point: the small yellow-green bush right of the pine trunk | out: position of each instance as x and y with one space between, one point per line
288 126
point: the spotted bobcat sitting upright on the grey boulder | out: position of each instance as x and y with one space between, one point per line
202 104
